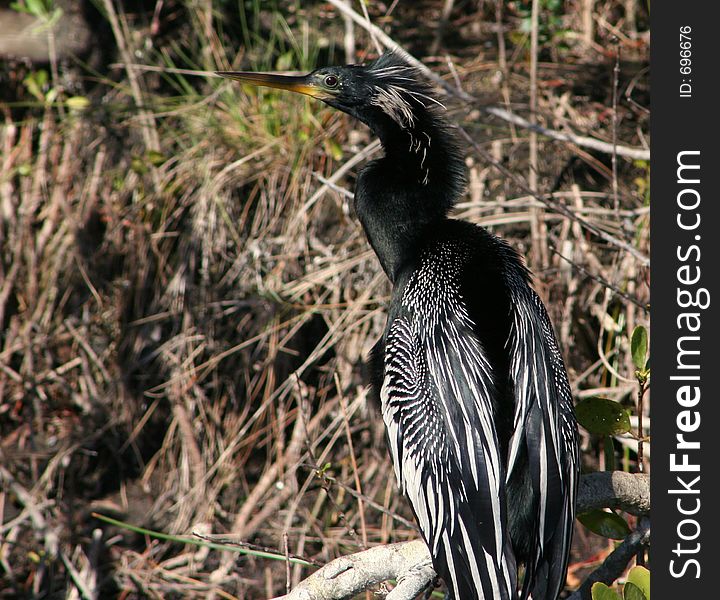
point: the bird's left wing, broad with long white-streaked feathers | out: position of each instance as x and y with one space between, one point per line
436 406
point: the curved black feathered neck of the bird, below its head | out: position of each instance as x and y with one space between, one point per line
400 196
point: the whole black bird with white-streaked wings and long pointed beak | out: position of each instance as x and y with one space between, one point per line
471 384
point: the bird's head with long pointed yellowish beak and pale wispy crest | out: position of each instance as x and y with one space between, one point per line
386 89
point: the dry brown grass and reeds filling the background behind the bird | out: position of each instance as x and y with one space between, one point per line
183 327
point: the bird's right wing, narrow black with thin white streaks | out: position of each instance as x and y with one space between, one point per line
545 430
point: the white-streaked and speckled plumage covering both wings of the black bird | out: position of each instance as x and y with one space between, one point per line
437 403
